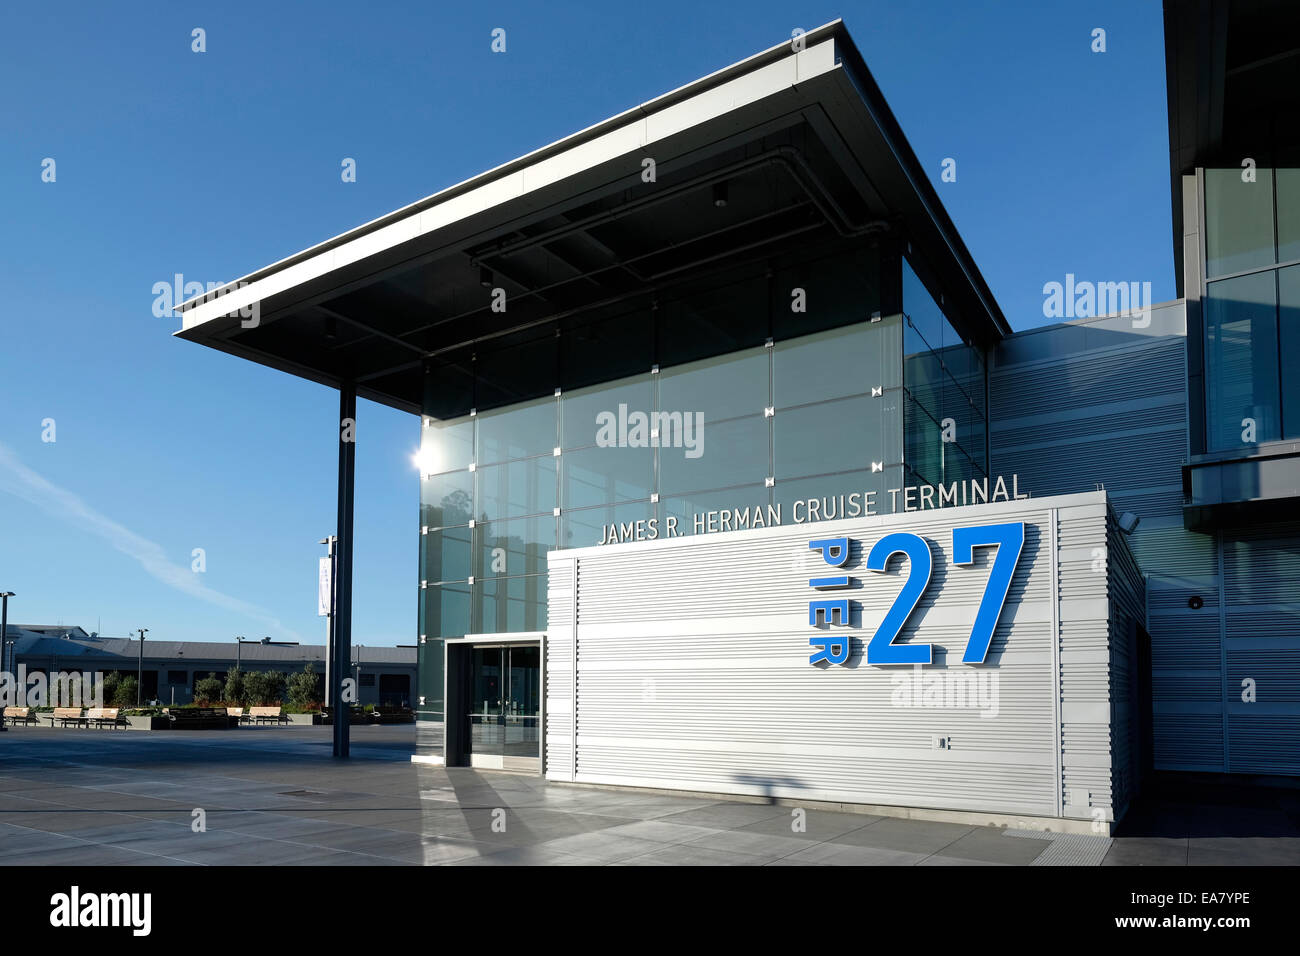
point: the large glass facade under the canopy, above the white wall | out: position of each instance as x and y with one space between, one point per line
733 396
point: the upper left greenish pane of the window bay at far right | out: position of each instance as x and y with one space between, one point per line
1238 222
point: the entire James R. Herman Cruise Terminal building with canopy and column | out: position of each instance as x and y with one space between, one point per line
735 479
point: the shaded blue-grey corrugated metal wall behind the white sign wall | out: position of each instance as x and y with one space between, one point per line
1104 403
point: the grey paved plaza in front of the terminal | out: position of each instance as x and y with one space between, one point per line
276 797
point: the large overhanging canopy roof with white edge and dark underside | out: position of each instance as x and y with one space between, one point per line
803 139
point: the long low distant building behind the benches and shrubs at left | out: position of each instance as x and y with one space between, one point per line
172 669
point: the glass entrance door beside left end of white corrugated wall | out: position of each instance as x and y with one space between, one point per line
505 707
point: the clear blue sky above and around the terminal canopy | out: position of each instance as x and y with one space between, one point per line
214 165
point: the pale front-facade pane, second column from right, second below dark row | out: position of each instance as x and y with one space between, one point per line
730 453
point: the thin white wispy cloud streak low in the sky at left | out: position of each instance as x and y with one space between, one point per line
20 481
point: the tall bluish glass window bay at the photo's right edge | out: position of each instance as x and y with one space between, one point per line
1253 308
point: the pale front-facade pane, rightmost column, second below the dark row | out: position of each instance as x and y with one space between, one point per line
844 435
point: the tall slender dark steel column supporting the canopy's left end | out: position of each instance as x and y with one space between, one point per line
346 427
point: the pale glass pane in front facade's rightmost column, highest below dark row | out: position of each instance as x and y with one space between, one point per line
831 365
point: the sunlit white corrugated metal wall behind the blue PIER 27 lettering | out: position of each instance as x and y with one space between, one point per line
694 671
